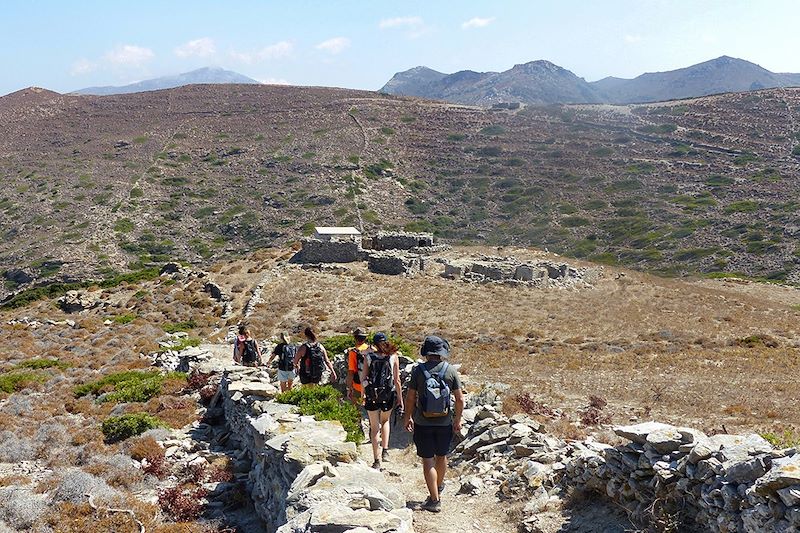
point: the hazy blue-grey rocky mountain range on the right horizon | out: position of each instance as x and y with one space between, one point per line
542 82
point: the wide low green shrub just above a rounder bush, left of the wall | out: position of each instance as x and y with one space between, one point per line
128 386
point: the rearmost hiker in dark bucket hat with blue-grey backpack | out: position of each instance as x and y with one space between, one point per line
434 417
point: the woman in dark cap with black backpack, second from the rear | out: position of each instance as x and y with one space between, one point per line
381 380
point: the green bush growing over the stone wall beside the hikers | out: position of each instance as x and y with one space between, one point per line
326 403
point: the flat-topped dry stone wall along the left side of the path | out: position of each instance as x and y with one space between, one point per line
304 476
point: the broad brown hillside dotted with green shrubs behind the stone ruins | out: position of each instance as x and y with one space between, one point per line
100 184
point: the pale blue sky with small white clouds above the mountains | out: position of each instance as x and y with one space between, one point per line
66 45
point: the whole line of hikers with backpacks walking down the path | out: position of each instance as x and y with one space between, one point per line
434 397
